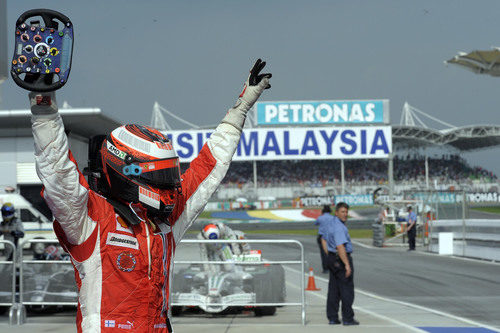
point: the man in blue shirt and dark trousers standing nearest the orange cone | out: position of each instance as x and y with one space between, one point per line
341 284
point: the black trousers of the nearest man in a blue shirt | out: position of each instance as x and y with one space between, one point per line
340 289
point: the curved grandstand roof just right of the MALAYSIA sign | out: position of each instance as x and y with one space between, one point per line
463 138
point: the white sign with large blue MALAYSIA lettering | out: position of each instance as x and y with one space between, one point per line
297 143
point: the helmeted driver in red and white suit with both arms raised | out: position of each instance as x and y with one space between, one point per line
122 233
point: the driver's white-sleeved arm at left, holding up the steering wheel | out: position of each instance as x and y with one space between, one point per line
65 188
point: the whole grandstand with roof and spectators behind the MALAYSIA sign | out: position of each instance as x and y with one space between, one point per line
414 167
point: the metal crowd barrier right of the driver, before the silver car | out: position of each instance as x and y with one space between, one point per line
301 262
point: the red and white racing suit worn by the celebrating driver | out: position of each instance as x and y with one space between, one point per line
123 272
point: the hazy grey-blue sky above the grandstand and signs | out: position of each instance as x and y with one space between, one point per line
193 56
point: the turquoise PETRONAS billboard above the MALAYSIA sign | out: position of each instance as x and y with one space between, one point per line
323 112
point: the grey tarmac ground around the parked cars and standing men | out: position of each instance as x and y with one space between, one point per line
467 289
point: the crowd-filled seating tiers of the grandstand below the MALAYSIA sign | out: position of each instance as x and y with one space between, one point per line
409 168
